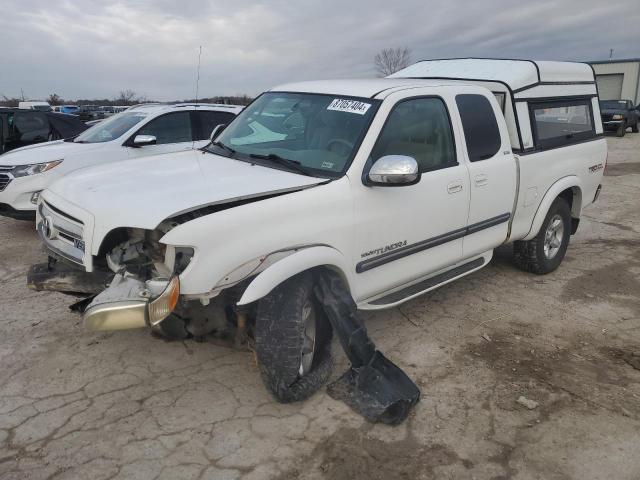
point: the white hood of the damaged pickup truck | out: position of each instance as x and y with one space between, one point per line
141 193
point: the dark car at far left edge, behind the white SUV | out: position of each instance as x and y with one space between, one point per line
19 128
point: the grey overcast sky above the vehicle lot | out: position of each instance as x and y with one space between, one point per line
94 49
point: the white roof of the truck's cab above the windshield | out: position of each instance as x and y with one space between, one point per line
369 88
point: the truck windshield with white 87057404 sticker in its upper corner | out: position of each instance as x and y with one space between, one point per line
320 132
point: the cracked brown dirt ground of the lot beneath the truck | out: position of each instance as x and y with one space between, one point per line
76 404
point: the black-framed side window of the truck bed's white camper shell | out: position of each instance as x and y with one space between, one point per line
558 123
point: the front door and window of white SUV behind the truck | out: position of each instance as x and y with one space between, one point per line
173 132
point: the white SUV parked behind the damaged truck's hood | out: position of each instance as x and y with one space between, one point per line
140 131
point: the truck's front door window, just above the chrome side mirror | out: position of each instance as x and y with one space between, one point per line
418 128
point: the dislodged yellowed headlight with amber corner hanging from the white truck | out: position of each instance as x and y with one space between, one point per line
131 303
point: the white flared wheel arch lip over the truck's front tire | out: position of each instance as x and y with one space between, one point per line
292 265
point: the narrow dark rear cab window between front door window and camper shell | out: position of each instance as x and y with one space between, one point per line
481 131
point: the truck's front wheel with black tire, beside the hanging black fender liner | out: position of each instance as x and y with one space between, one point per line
280 338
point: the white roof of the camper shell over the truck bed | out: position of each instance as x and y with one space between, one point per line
517 74
